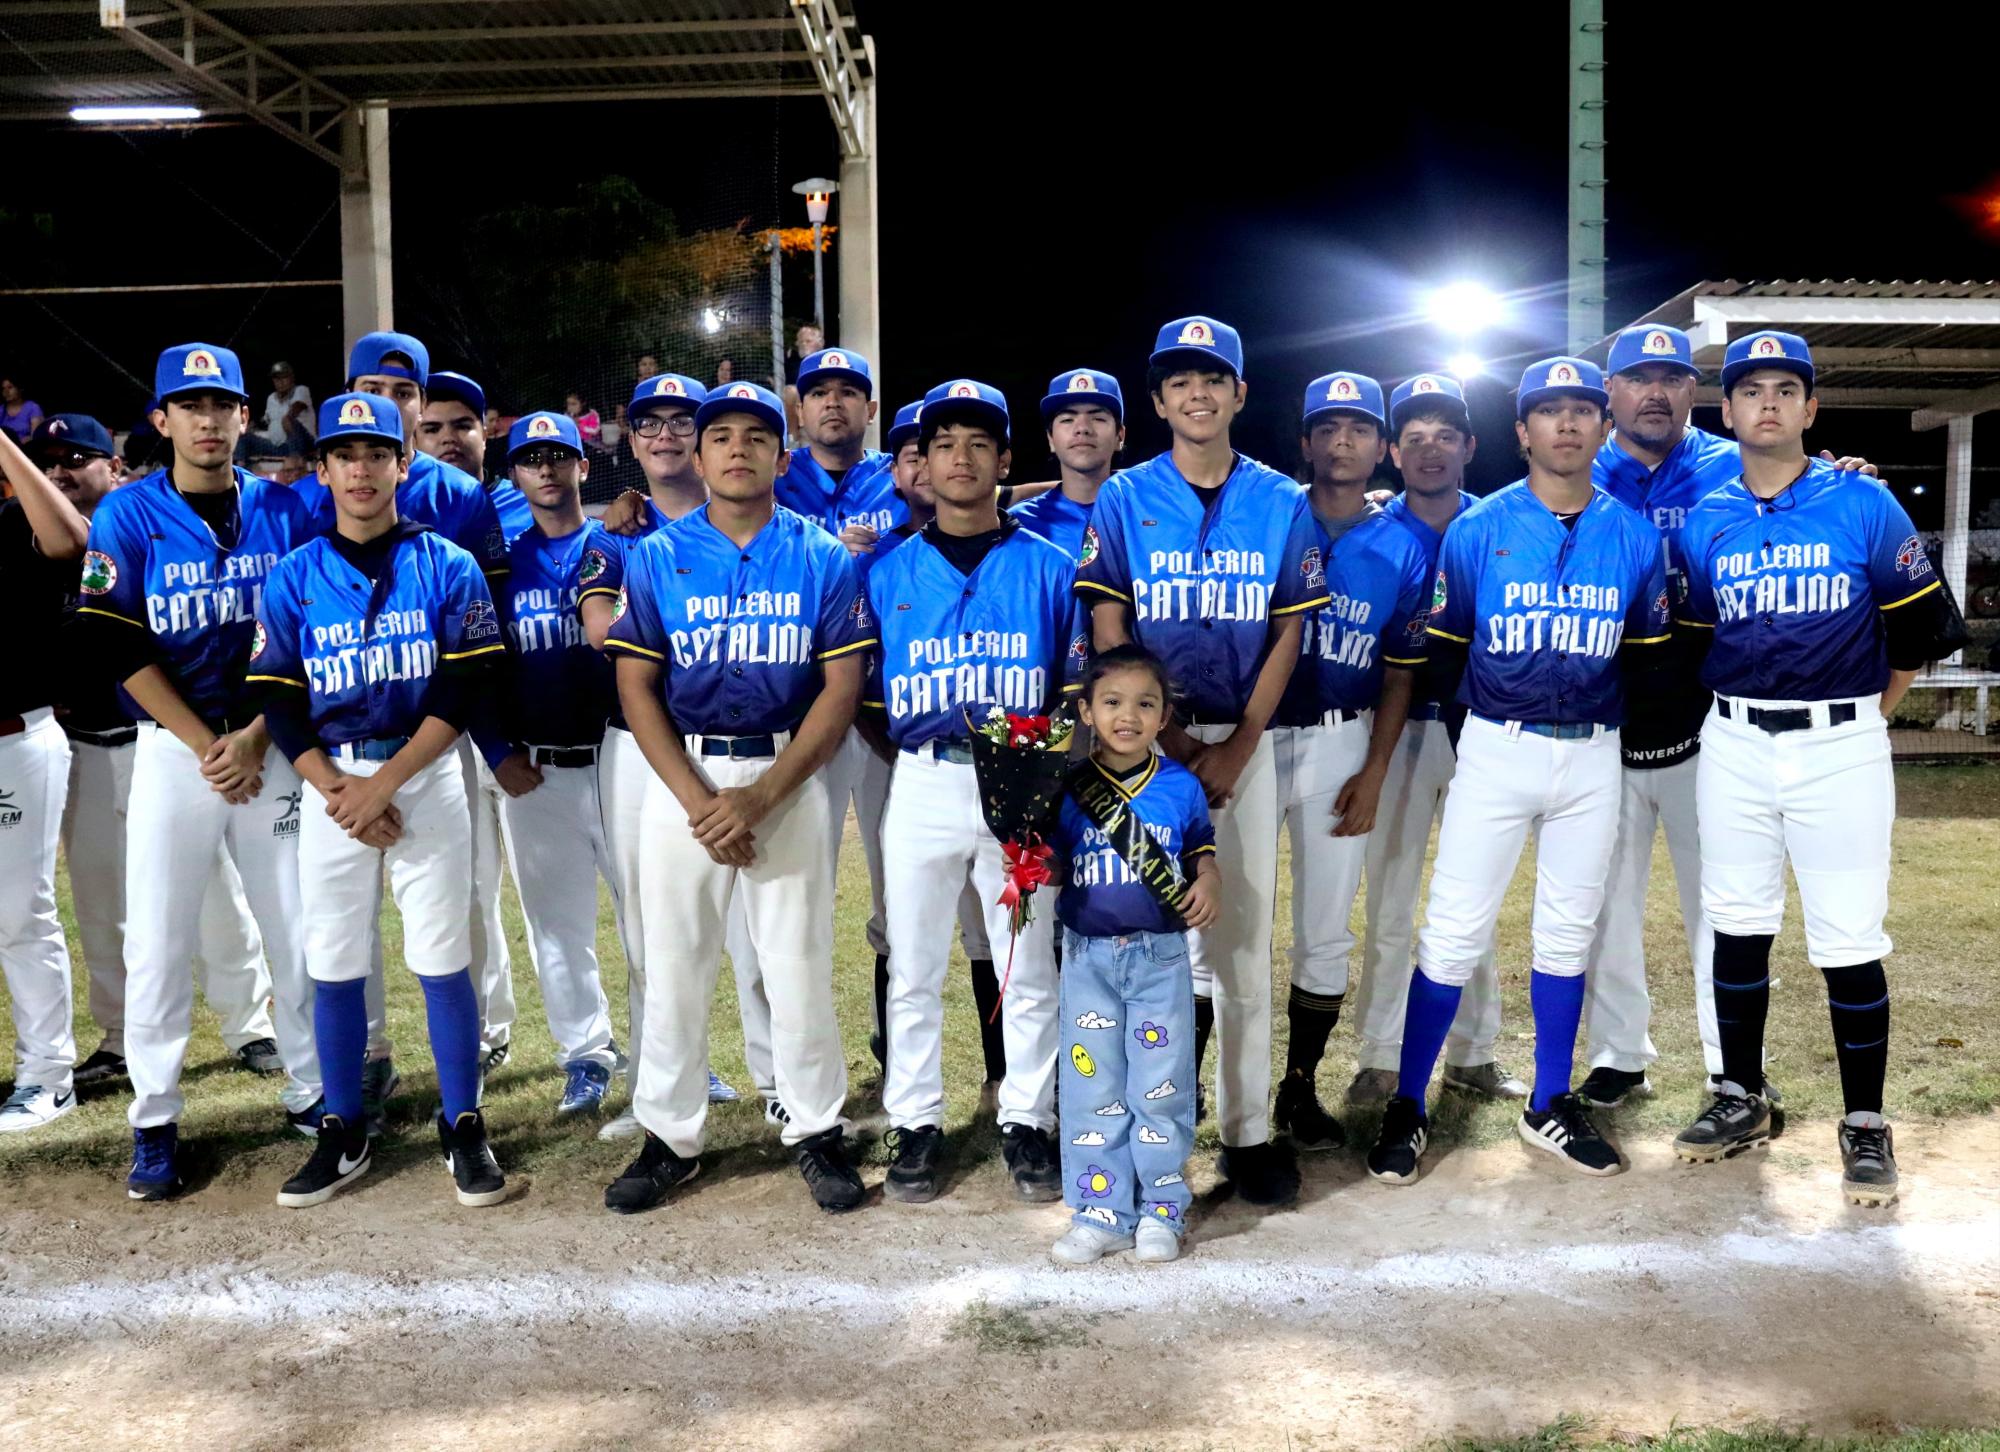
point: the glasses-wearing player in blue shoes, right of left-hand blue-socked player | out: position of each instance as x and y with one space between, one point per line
561 589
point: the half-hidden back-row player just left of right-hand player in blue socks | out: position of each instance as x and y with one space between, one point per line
1433 443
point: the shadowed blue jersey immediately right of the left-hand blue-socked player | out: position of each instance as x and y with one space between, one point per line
563 687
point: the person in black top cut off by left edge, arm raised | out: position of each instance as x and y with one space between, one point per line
41 541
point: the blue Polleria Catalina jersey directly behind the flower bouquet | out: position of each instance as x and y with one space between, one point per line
1009 635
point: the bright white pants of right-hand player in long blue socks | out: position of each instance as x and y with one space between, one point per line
1511 781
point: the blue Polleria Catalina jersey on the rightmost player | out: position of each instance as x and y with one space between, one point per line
1797 587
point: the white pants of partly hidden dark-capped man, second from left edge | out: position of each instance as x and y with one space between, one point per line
229 957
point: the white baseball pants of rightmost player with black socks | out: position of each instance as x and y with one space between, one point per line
1827 801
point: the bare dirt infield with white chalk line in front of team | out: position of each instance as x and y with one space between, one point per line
1485 1301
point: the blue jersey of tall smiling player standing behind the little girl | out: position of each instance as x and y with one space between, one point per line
1203 583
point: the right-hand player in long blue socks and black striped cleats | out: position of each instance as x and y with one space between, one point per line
1547 595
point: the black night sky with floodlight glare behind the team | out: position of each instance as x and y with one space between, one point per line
1057 181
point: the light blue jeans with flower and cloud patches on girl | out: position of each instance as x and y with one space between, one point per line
1127 1079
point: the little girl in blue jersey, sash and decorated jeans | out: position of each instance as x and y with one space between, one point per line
1139 867
